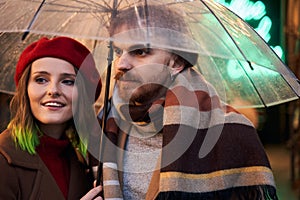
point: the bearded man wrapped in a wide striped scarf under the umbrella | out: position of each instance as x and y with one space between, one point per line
170 137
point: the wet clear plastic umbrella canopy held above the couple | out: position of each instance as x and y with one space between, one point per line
231 55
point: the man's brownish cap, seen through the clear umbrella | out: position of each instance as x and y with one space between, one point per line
171 24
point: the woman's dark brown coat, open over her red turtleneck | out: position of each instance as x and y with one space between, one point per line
25 177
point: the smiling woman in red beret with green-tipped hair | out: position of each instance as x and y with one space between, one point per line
41 153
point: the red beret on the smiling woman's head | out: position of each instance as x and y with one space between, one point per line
64 48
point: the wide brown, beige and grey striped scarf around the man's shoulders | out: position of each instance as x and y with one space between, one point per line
209 151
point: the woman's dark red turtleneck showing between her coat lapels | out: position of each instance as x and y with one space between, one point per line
52 152
